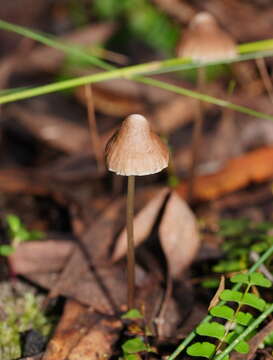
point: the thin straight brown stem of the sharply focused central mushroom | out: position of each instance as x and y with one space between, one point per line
130 242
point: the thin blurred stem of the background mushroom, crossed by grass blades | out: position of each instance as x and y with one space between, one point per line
197 133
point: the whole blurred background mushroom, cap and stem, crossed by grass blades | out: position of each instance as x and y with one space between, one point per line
204 41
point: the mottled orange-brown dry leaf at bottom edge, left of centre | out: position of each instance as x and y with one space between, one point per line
82 334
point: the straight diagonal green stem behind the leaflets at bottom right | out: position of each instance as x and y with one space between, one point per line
192 335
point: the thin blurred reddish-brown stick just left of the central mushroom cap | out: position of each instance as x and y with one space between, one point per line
95 140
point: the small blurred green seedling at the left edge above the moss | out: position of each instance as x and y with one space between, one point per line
18 233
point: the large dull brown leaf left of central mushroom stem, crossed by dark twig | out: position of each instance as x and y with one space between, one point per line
89 276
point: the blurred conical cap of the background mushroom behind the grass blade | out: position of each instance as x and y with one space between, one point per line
205 41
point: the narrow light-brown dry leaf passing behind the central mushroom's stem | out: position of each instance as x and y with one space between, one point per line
143 224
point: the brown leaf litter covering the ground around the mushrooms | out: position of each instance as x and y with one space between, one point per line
85 262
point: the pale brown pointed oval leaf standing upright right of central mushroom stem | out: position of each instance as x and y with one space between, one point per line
178 235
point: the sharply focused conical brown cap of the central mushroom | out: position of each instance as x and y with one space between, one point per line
135 149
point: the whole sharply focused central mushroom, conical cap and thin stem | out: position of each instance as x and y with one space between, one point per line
134 150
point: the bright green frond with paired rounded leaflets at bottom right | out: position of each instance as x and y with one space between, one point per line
236 318
